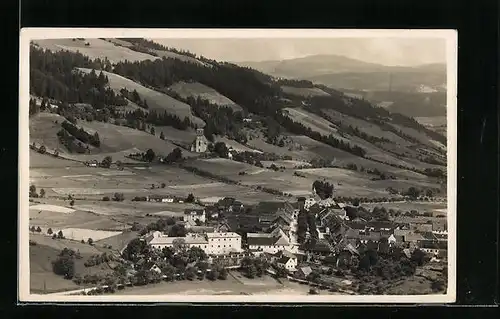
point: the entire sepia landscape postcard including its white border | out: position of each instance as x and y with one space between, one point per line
233 165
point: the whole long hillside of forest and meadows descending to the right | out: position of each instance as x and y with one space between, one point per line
133 104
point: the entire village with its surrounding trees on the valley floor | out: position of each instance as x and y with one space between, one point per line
320 243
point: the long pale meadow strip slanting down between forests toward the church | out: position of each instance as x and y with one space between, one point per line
156 100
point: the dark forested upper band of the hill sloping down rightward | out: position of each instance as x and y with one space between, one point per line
55 76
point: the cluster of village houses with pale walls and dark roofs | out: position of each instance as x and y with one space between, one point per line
275 233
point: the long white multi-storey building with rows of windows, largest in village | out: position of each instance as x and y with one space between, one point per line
213 243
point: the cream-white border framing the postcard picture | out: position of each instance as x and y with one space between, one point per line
28 34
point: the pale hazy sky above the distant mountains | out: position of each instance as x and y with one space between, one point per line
386 51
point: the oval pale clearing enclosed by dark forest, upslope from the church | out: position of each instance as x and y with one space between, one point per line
196 90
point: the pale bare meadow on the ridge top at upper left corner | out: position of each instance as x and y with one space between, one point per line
97 49
